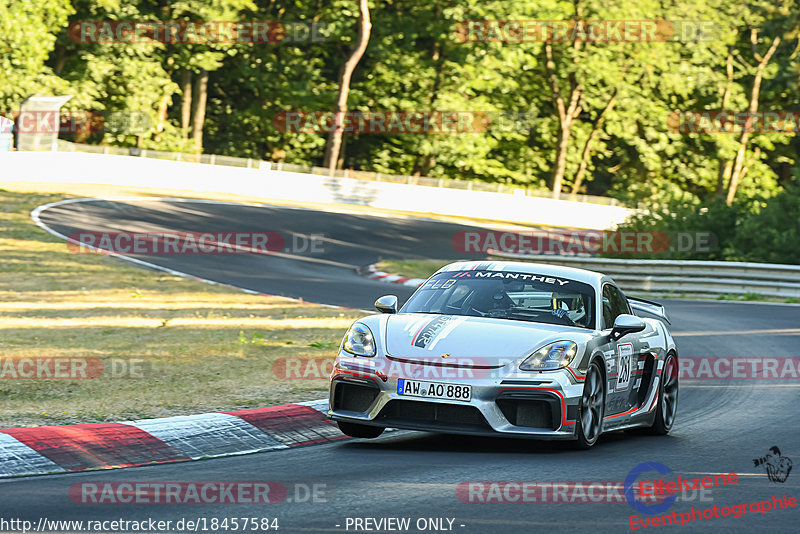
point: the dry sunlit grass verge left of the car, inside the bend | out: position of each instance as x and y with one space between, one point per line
193 347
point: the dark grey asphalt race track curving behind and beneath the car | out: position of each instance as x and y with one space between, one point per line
722 425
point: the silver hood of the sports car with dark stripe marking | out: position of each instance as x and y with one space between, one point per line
425 337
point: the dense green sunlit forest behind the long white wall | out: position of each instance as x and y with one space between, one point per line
601 108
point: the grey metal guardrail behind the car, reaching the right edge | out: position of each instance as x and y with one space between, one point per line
699 278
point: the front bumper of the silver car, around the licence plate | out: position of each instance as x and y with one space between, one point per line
508 402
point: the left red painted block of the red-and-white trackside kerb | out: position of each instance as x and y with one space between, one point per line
93 446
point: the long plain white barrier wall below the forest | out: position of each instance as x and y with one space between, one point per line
77 167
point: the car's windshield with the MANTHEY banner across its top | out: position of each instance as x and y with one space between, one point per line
506 295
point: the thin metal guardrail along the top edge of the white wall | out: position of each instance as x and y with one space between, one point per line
250 163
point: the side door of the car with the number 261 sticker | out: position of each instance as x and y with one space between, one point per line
622 357
